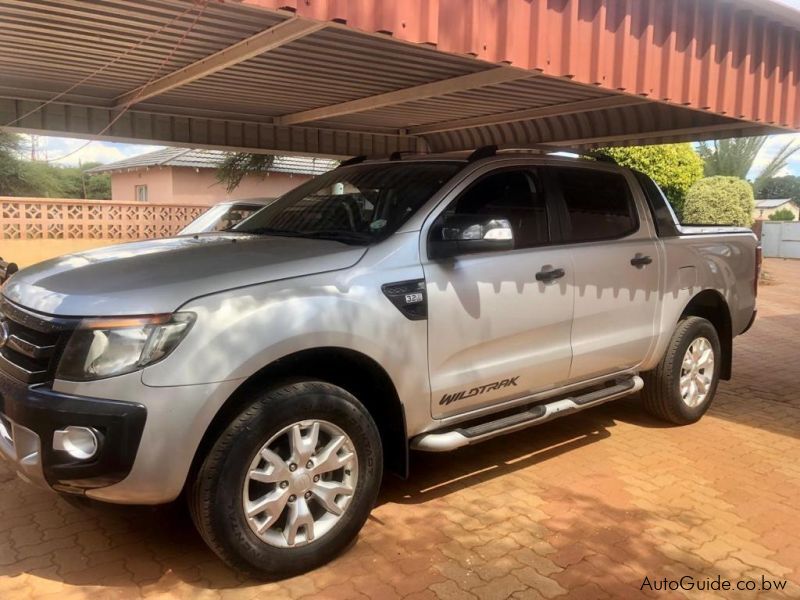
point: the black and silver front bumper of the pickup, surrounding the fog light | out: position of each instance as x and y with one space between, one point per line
29 415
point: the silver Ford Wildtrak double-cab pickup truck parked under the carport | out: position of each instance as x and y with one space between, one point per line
270 373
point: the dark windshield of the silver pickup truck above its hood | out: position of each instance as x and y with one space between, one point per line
356 205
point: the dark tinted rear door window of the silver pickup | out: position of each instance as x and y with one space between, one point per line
599 205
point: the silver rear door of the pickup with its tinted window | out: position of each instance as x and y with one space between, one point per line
616 268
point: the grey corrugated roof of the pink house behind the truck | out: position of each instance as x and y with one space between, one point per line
211 159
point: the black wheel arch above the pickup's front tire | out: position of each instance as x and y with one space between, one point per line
351 370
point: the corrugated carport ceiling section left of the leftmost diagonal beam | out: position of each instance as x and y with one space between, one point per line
67 40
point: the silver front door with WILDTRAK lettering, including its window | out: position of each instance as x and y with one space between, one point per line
494 331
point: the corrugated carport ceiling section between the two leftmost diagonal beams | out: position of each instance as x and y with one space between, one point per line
325 68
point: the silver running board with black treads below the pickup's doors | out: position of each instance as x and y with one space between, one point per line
535 415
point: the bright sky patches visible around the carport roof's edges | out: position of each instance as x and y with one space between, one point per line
68 151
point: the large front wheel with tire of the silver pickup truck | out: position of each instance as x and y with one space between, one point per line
237 466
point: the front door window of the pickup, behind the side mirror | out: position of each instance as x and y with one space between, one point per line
512 195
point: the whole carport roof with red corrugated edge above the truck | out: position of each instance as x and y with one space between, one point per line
377 76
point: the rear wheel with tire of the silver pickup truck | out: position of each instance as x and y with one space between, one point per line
662 393
